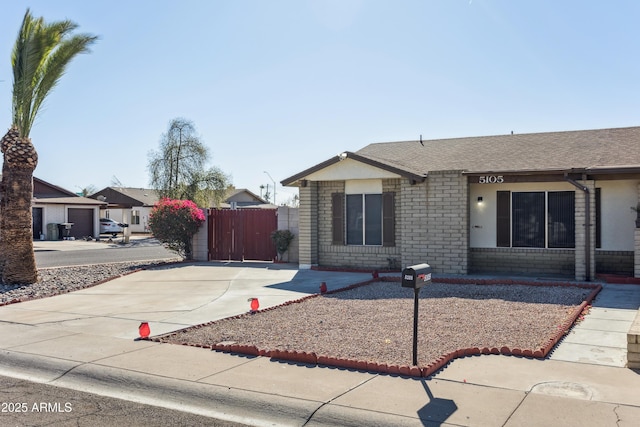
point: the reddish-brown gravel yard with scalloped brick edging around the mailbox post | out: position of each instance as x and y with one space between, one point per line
374 322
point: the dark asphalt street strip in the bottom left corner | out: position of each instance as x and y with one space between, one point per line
25 403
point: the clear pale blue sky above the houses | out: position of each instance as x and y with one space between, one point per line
280 86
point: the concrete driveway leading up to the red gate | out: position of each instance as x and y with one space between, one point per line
174 297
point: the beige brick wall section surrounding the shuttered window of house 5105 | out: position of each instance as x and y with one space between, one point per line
431 223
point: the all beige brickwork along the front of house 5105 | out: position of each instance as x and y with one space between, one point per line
432 226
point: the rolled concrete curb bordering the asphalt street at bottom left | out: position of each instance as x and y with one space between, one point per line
219 402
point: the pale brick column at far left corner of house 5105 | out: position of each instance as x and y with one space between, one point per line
308 225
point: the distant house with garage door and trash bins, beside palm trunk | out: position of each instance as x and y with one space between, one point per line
53 205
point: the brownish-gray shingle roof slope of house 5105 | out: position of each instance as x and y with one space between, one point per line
603 148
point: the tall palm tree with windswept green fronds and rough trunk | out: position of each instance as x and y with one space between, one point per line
39 58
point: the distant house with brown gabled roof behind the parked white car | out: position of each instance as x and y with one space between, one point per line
128 205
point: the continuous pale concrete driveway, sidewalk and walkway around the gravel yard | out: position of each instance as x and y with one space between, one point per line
84 340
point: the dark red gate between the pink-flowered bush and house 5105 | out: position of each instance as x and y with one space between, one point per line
242 234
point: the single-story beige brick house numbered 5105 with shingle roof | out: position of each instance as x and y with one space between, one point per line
556 203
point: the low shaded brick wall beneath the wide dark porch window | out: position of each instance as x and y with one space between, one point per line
522 261
